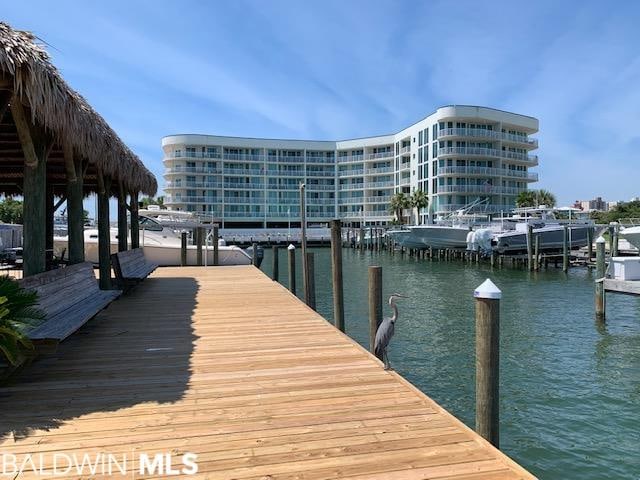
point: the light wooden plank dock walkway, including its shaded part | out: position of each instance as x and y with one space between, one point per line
224 363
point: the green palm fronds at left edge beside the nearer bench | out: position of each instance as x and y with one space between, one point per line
17 314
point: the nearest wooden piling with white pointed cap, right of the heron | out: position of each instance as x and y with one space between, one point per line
487 298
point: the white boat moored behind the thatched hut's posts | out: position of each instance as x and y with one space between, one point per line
161 245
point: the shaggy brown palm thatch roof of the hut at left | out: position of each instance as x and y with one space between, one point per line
26 70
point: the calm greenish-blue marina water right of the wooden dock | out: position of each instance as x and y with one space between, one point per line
570 389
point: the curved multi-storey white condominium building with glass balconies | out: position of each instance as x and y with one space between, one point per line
456 155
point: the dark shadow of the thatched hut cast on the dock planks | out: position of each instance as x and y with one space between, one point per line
136 351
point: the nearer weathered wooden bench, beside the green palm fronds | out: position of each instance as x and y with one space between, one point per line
70 297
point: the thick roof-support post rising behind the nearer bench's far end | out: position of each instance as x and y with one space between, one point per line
75 210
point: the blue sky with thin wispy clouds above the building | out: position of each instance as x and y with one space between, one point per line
344 69
